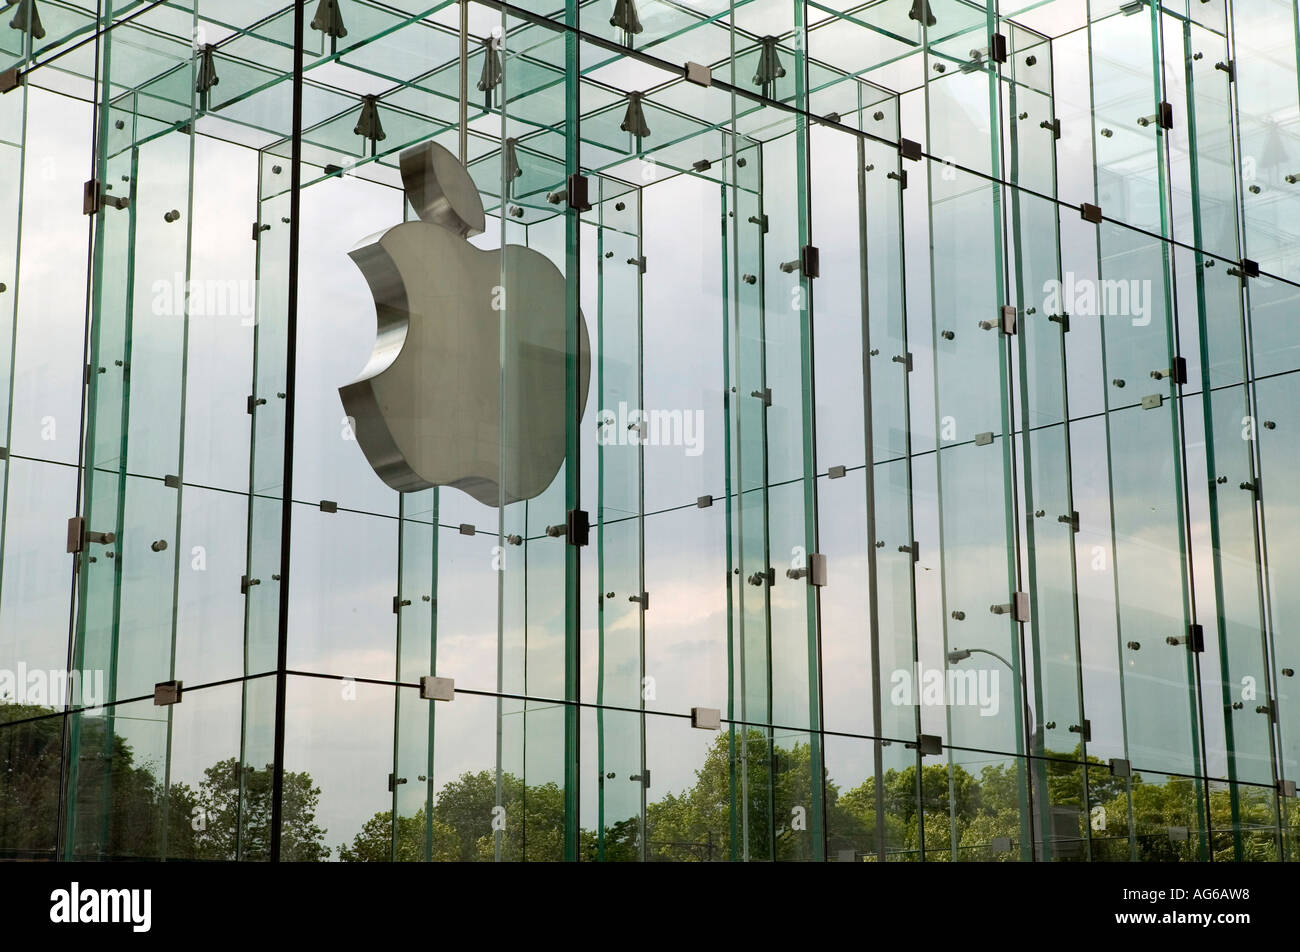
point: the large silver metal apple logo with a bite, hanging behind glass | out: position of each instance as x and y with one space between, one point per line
444 401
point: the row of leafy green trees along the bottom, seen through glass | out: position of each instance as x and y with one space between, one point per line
760 793
